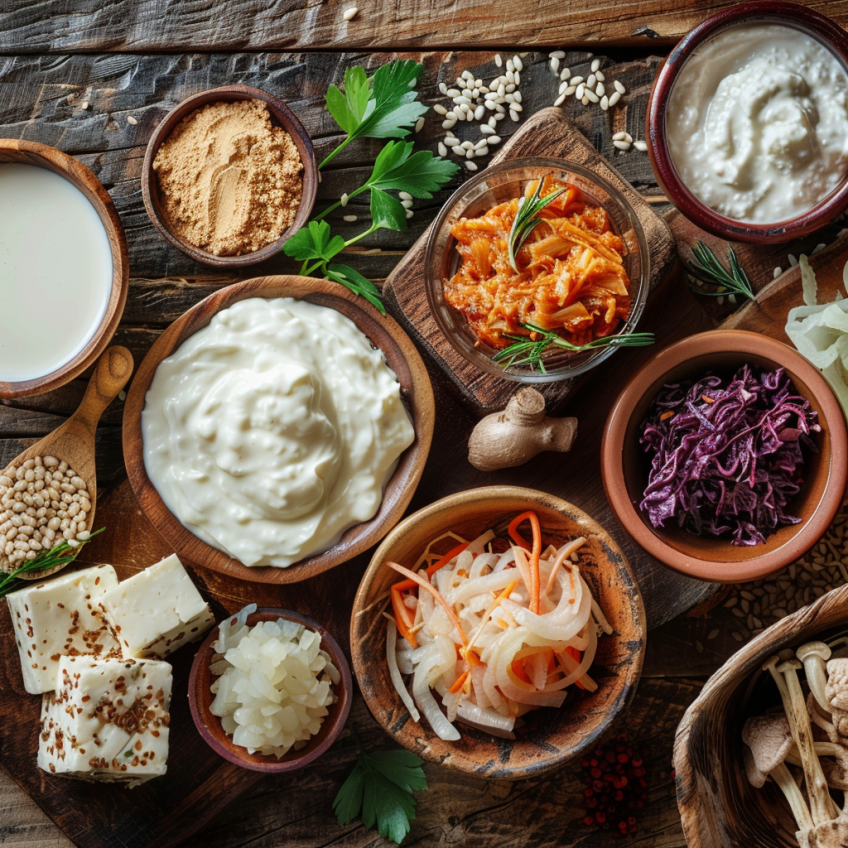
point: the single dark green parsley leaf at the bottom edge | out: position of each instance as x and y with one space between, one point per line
379 790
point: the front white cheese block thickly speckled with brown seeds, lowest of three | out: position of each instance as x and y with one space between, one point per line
107 720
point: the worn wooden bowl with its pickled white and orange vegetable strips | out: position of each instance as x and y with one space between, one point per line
499 631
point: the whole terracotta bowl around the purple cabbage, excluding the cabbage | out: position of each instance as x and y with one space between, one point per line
625 467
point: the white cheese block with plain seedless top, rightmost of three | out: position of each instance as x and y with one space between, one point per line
157 610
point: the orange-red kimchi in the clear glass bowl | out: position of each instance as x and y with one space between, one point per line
571 278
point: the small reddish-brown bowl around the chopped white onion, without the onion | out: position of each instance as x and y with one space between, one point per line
200 698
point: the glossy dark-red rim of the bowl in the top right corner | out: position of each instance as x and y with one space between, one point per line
808 20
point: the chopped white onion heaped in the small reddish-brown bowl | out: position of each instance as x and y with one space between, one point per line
274 683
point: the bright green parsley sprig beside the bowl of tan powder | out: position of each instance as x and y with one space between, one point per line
381 106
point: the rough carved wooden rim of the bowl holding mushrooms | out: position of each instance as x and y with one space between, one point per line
825 613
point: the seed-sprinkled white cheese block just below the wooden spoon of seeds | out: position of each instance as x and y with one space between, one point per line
61 617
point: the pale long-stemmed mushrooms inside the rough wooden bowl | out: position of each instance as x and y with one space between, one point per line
811 734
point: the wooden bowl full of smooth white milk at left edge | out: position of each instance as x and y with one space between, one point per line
63 268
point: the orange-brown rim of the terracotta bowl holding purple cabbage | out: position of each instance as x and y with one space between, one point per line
833 462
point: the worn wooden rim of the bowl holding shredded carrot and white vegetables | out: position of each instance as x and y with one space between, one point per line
525 758
